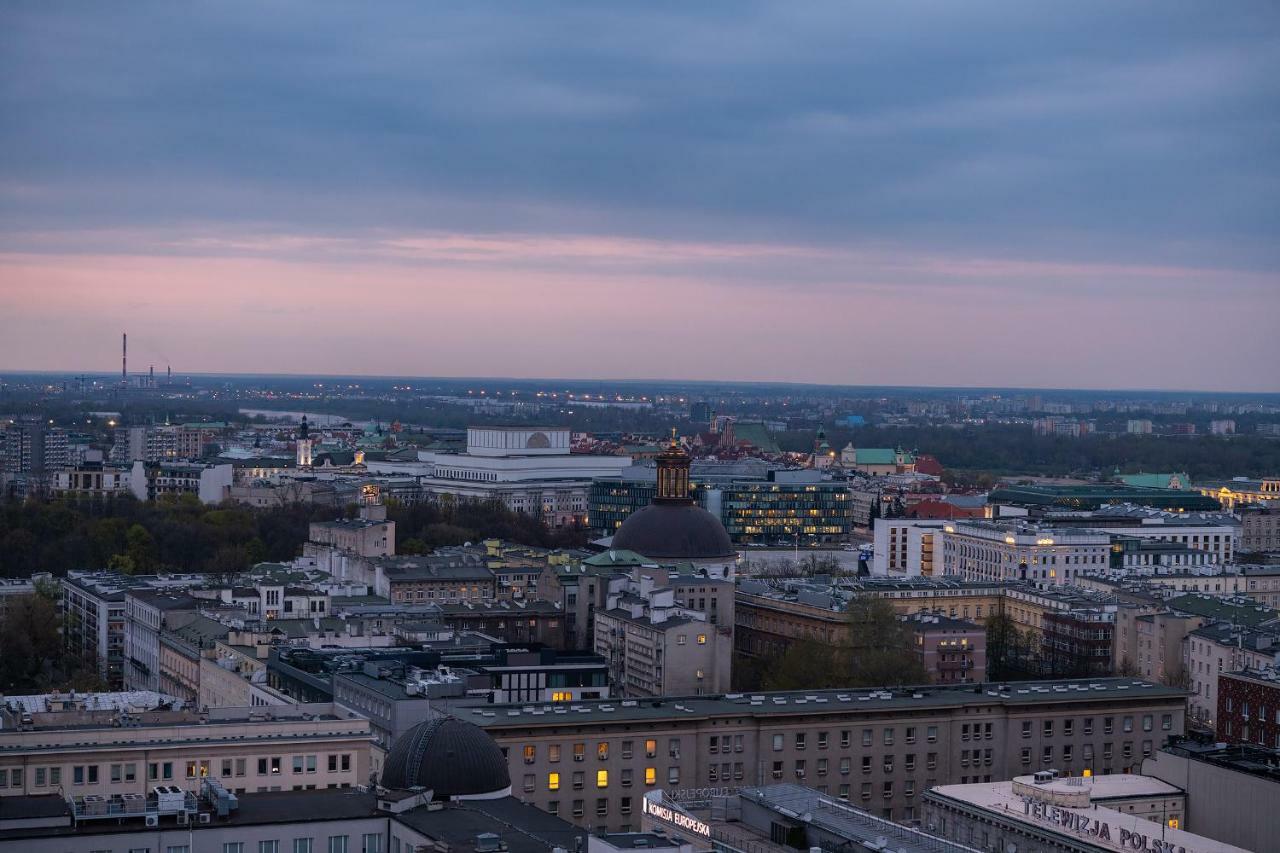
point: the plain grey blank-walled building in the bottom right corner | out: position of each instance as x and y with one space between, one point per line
1231 791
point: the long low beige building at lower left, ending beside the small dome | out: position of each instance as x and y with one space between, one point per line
81 752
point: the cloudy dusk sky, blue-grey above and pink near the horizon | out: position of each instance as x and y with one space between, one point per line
931 194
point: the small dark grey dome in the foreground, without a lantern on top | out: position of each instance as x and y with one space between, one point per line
451 758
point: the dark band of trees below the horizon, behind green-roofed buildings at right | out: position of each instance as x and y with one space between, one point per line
1017 450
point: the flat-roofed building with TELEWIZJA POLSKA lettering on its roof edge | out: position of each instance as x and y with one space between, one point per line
1046 814
